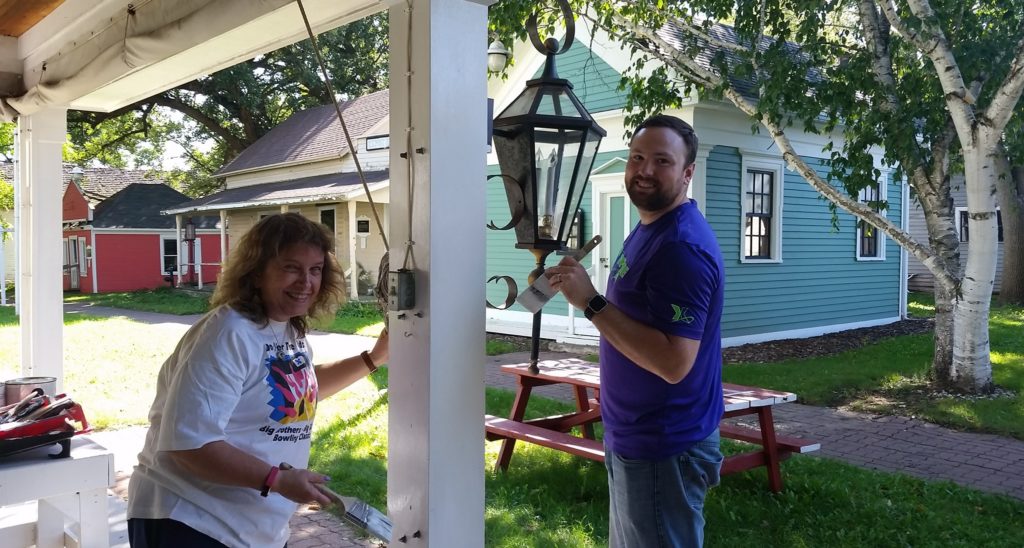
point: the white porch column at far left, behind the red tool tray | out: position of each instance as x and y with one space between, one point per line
41 138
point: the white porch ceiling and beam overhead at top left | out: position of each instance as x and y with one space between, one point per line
102 56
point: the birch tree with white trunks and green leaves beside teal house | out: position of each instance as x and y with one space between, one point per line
920 81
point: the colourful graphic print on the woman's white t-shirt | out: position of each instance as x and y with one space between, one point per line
293 388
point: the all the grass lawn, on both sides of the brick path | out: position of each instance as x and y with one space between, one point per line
552 499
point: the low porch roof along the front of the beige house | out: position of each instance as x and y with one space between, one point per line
332 187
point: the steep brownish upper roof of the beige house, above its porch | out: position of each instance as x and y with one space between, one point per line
312 135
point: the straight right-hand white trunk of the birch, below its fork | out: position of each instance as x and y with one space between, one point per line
972 367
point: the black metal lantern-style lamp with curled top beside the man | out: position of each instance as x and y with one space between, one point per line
546 143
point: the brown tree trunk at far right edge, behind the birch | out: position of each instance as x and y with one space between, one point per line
1011 194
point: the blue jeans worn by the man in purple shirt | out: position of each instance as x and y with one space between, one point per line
661 503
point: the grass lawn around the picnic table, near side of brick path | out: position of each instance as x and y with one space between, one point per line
551 499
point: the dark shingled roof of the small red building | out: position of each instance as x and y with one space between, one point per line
139 206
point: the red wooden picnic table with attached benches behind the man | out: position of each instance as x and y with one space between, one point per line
584 380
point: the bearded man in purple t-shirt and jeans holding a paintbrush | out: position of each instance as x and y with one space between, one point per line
661 348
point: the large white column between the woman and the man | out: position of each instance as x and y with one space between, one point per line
436 431
